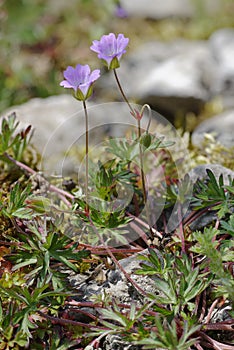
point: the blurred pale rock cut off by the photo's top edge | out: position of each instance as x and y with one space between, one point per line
158 9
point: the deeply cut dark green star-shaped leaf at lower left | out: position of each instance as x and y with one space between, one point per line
41 248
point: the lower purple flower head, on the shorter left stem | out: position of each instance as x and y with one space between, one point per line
81 80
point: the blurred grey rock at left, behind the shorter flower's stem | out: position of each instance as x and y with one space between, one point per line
59 127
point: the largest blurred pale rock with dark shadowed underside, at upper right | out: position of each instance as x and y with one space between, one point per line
179 76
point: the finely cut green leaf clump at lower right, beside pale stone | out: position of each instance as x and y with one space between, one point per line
177 281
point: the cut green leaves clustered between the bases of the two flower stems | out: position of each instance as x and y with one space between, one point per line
110 187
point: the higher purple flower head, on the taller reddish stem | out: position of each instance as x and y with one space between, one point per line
110 49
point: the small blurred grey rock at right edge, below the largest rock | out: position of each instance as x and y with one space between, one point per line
221 126
